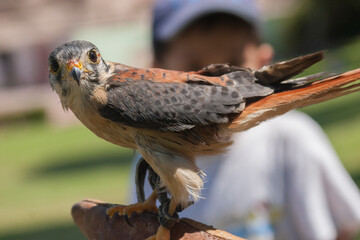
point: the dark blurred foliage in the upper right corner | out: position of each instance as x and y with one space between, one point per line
316 25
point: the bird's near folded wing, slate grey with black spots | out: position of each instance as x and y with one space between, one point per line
169 106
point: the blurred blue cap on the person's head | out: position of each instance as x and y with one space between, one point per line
172 16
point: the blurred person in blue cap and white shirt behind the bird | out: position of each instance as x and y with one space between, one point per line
279 180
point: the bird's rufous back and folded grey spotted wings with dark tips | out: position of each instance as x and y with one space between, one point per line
176 101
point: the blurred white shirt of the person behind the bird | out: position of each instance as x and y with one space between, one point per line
279 180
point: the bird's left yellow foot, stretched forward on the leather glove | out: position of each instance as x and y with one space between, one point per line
148 205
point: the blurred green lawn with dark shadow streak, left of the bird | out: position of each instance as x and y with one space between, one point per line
45 170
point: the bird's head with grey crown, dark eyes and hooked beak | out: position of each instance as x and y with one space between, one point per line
76 68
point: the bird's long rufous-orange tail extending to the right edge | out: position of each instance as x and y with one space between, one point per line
282 102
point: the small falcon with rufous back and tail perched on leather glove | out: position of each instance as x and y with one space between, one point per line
171 117
